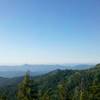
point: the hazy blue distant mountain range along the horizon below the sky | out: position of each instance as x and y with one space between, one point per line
20 70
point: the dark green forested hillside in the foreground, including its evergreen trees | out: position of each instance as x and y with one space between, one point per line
56 85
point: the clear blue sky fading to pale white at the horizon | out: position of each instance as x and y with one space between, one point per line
49 31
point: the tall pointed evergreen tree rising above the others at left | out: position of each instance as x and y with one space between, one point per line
27 89
